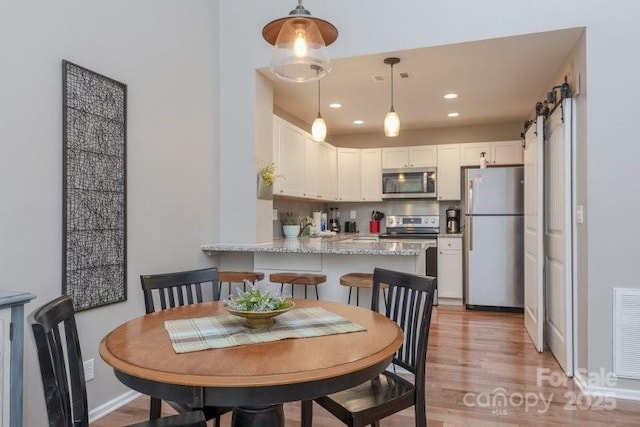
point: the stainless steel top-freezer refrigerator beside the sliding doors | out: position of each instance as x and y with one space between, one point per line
494 238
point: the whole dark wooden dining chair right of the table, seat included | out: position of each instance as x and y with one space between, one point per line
409 304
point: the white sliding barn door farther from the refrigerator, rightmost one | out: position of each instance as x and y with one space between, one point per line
558 235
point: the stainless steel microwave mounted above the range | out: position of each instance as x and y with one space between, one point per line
418 183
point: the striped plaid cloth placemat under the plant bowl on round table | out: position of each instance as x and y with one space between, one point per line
204 333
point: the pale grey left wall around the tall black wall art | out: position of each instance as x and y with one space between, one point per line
167 54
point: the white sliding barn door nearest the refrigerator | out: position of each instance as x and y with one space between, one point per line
534 232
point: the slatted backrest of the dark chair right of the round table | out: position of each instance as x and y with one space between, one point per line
409 303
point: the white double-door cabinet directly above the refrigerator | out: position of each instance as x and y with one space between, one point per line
496 153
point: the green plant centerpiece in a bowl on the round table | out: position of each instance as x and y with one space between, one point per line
257 306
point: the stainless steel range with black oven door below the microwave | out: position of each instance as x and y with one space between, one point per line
417 227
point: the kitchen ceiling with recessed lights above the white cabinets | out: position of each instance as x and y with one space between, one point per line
497 80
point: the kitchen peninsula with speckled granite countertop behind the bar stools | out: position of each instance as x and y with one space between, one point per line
333 256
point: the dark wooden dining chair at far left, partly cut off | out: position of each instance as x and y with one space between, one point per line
63 373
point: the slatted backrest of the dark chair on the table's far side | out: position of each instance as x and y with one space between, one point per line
177 289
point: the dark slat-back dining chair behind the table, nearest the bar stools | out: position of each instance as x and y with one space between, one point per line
175 290
